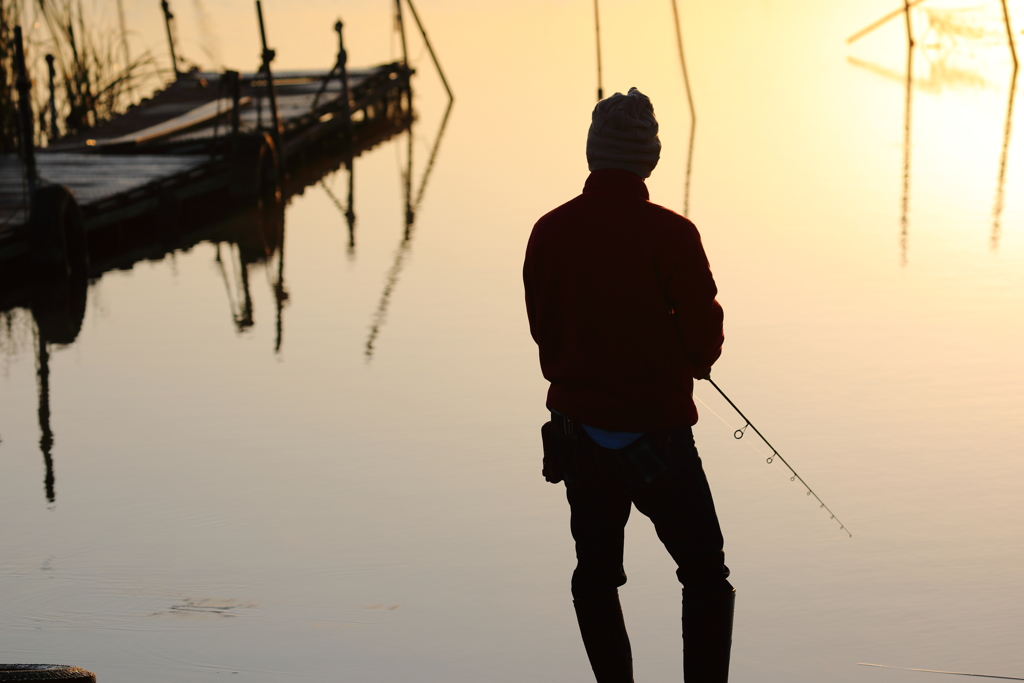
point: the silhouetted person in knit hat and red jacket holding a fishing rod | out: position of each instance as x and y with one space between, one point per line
622 305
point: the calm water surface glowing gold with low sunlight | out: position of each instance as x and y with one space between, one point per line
378 515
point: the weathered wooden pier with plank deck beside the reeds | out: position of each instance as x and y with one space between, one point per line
191 145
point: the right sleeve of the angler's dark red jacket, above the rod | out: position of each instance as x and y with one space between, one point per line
692 295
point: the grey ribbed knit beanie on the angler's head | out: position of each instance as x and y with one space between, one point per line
624 135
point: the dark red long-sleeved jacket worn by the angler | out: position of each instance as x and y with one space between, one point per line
622 304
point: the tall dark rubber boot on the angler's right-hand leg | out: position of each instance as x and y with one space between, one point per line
708 633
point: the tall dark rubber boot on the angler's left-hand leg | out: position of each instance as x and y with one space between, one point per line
604 631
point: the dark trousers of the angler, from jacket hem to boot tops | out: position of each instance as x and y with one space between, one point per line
662 475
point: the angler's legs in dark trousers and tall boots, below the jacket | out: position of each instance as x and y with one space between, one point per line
661 474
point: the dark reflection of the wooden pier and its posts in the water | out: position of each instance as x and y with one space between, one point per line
244 241
